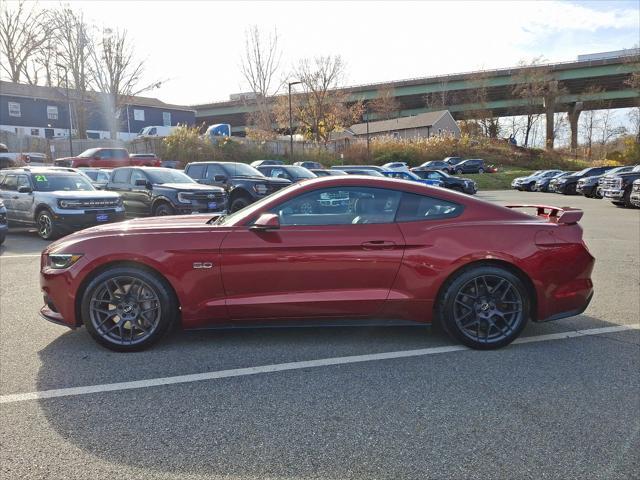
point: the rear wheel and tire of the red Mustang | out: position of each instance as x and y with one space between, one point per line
484 322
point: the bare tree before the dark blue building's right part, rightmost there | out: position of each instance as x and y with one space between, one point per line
116 72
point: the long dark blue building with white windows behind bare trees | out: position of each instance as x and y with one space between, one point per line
44 112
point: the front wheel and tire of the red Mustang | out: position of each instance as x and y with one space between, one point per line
131 324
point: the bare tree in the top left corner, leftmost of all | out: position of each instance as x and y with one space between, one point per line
23 31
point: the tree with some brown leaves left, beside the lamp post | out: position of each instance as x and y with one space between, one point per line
322 108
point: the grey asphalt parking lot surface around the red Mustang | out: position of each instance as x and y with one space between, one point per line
549 407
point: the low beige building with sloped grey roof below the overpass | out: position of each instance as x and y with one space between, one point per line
424 125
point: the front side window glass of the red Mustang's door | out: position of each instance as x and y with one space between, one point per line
340 206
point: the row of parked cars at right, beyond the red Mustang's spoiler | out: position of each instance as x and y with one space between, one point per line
620 185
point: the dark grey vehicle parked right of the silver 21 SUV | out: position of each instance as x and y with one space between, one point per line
163 191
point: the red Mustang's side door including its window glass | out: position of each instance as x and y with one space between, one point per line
320 262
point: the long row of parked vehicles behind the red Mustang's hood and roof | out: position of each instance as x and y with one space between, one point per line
60 199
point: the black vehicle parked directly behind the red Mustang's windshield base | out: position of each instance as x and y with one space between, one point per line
243 183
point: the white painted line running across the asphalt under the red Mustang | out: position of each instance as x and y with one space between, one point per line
280 367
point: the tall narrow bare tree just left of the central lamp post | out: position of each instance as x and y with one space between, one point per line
259 68
